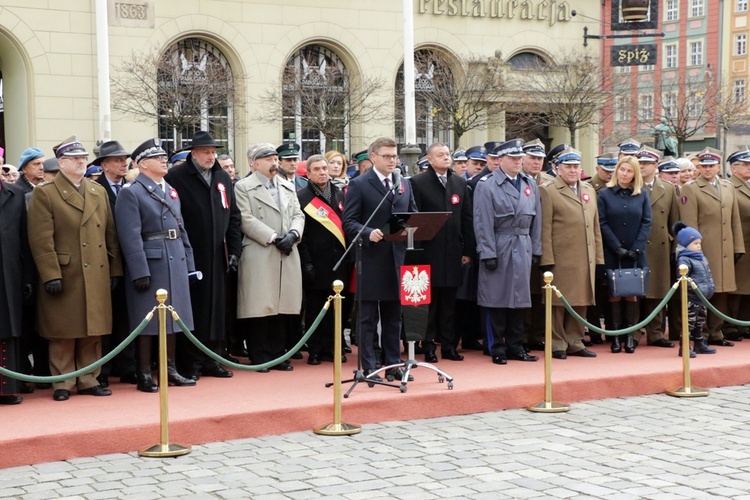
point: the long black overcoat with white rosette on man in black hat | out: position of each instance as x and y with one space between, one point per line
214 234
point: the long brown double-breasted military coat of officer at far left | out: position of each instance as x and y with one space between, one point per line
73 238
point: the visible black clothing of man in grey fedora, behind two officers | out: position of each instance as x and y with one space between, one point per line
123 363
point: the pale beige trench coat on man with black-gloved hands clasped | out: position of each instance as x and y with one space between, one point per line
269 282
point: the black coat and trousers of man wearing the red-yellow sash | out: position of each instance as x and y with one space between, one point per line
320 248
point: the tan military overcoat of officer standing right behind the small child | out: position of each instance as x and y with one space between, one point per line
716 216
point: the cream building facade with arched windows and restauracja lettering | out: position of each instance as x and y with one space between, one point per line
283 60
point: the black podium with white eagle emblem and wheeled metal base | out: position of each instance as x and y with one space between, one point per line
411 227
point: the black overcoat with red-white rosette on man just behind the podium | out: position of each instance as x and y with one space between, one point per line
456 238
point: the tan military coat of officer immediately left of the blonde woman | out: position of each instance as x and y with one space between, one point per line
571 239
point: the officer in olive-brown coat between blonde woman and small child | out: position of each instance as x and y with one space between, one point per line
660 245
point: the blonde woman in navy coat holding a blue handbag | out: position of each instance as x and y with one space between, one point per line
625 220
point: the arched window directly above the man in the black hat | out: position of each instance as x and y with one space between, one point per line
196 92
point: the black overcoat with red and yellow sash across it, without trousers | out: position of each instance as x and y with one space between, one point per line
320 246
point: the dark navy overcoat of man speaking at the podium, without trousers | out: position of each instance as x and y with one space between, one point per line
382 260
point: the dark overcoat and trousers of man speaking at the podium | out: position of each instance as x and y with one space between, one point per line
381 263
